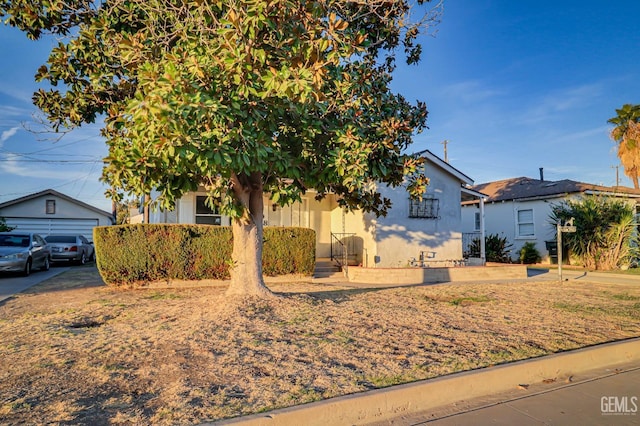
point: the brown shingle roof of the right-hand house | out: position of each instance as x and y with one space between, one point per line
526 188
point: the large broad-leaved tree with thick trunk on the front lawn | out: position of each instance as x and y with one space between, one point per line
244 97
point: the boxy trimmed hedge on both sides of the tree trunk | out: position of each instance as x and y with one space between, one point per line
136 254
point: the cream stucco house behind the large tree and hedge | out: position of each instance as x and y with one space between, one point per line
429 232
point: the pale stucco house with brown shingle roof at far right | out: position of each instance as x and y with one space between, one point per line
519 208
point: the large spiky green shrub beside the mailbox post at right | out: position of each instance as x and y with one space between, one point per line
605 237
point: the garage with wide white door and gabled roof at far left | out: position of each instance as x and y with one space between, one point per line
51 212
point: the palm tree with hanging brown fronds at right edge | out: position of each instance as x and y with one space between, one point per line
626 133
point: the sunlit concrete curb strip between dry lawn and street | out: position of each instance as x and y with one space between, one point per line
385 404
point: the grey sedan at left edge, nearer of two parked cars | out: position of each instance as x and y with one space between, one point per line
23 251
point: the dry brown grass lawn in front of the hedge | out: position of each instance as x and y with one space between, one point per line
76 352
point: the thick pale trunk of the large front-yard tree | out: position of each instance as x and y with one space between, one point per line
246 272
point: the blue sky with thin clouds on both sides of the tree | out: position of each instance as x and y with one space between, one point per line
512 85
